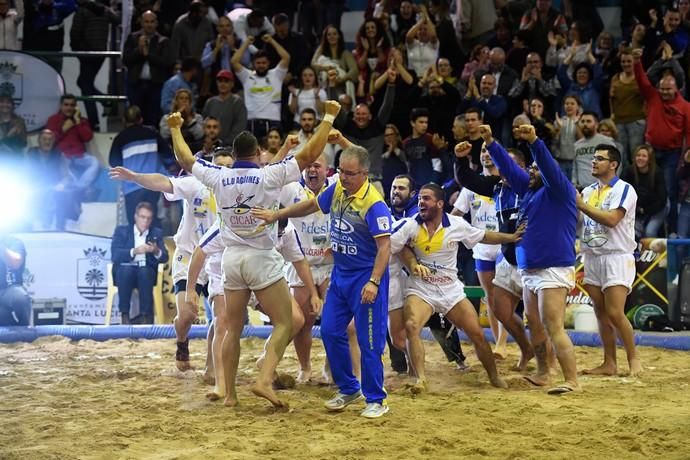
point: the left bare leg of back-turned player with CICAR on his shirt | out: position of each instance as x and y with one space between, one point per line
235 307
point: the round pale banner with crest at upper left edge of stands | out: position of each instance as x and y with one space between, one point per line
34 86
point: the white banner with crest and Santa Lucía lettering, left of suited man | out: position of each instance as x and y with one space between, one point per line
71 266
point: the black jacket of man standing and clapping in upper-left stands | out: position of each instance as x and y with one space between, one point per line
158 58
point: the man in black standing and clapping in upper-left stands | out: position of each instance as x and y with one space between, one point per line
146 55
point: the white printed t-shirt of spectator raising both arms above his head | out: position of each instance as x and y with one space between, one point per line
262 94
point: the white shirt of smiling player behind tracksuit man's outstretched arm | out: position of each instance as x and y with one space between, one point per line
313 230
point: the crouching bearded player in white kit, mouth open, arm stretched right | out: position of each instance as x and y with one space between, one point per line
428 245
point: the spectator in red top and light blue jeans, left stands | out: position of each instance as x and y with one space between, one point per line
72 132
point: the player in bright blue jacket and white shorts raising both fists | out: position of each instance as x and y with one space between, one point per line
546 253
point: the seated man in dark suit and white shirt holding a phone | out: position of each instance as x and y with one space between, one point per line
136 252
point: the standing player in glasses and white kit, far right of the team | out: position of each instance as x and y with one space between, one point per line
608 244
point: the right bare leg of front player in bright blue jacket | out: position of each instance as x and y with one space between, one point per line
552 307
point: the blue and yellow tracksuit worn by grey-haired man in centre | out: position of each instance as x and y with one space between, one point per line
356 221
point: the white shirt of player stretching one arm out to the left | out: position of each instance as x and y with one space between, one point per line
199 211
